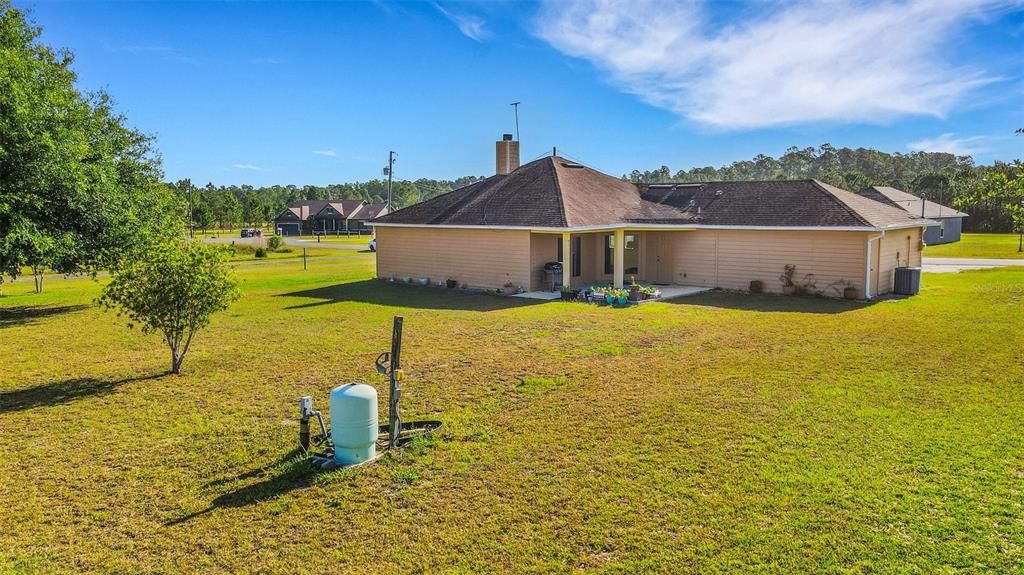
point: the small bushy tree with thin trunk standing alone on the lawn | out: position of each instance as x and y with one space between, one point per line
173 289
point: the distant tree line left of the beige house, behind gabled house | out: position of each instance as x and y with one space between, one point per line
229 207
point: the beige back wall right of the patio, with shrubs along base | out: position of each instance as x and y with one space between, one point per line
732 259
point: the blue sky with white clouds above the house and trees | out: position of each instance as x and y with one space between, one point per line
317 94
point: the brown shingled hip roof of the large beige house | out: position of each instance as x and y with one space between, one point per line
554 192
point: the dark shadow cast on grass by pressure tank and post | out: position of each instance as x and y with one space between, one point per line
293 471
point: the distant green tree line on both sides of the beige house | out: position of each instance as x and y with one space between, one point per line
946 179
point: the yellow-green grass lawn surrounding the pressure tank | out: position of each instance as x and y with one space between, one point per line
717 434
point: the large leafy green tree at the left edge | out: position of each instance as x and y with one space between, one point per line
78 188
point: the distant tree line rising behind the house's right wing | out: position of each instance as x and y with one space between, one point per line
946 179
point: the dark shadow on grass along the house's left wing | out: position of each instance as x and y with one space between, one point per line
400 295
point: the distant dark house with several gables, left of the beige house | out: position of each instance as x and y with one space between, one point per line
329 217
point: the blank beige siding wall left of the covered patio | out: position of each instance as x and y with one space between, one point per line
479 258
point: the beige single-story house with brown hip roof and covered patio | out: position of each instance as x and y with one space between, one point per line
501 232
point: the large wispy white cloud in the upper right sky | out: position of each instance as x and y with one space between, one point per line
796 64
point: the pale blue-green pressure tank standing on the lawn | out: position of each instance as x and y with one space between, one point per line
354 423
